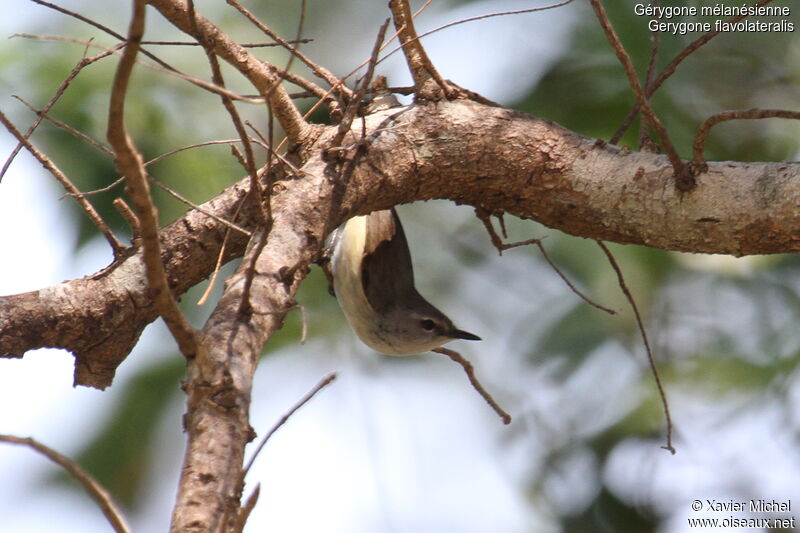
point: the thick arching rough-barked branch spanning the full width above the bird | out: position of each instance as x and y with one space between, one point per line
494 158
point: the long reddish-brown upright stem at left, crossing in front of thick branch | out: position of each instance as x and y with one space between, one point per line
130 164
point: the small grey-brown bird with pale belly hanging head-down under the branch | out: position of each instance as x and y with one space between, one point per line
373 280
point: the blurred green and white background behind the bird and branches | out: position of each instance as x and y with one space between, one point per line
404 444
